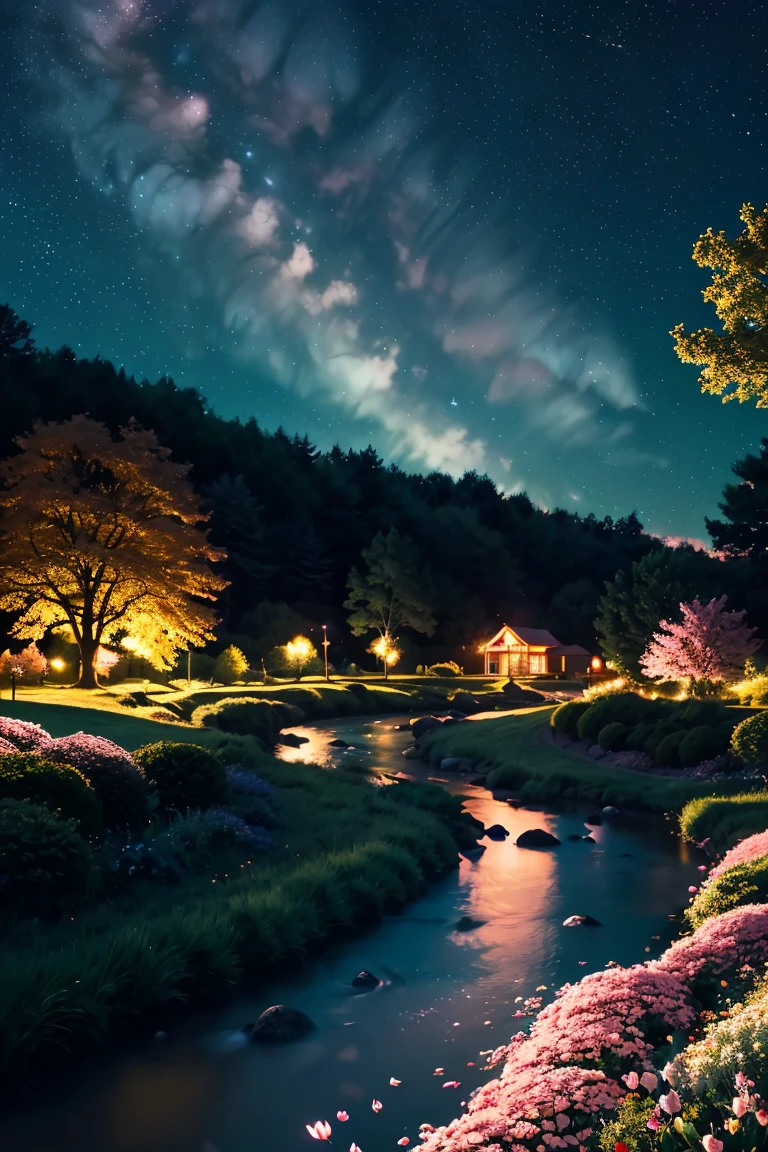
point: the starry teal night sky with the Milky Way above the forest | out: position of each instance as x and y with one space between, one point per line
458 230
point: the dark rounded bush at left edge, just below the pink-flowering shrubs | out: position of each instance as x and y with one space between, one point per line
58 787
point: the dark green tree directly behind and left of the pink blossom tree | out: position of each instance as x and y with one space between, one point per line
635 602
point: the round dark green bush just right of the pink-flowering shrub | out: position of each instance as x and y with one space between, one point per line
185 776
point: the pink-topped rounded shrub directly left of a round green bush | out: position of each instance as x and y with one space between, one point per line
111 772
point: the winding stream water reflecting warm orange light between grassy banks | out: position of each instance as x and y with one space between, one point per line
447 997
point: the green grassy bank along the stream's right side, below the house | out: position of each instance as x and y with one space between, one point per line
522 760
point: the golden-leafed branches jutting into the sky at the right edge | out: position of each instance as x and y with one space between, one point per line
734 363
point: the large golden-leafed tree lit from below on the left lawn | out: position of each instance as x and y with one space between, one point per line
103 540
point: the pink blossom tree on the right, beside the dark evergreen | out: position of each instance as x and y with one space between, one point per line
709 646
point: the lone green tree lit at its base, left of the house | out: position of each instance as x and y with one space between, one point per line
394 593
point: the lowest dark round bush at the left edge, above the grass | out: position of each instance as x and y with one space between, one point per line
45 865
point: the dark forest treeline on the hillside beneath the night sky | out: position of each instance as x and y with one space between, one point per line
294 520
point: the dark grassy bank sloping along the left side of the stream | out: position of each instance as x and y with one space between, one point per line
347 848
